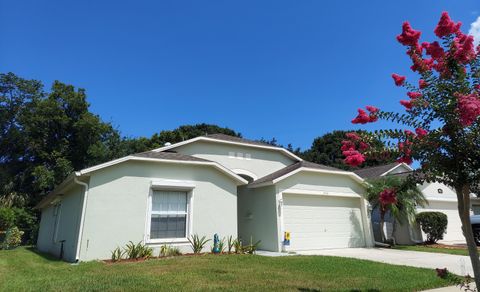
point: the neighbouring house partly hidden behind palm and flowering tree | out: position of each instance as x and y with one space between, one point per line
440 198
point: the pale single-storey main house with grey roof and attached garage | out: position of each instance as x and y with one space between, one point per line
206 185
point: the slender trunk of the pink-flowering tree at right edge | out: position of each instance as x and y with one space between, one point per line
463 195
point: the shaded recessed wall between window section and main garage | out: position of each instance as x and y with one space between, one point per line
257 216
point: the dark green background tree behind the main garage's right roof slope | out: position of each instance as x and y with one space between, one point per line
326 150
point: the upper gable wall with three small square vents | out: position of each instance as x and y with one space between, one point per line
261 163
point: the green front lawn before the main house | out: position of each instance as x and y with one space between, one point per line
24 269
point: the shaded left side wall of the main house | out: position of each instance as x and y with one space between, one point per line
68 225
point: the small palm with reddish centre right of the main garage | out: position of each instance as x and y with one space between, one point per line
405 198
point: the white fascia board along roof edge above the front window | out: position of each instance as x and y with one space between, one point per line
135 158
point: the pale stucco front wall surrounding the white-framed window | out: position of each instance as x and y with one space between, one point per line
116 211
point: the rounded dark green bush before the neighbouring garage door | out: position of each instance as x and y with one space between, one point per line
434 224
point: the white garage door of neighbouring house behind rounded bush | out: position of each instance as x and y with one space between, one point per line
454 227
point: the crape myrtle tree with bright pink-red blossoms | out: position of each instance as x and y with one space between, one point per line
440 126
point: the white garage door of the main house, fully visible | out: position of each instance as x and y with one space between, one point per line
317 222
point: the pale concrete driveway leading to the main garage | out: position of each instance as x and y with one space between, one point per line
459 265
